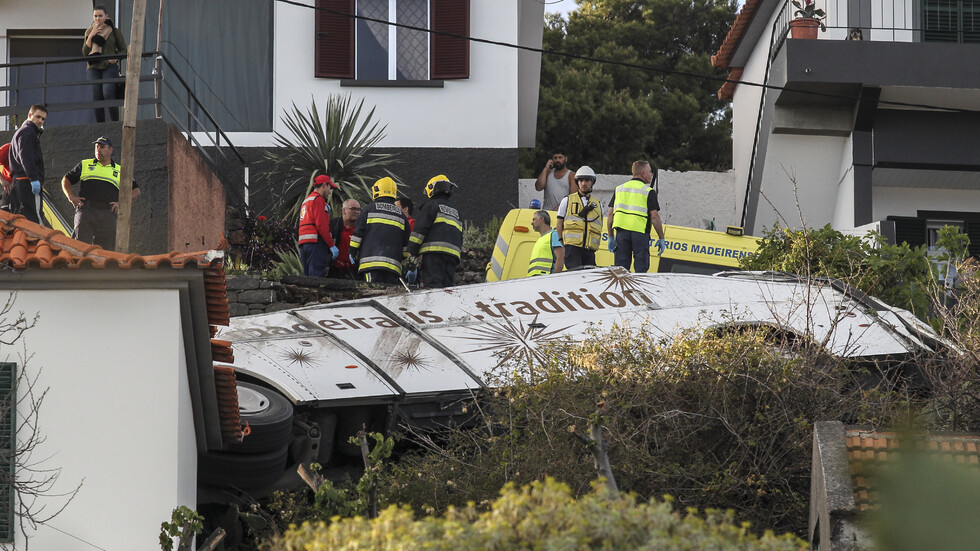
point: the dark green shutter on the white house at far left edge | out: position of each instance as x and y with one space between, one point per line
8 443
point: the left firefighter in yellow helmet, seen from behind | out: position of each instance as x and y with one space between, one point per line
379 243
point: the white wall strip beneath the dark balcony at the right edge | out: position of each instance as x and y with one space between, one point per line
906 201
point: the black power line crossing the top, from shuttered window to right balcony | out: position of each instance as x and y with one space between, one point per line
646 68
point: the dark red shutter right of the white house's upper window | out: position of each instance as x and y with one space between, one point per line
450 56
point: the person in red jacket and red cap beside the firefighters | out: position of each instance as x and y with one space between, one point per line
316 246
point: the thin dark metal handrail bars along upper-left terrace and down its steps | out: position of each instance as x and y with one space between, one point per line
191 104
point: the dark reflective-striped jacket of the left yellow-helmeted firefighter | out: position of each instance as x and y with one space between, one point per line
381 237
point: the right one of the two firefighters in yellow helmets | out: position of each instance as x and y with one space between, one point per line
438 235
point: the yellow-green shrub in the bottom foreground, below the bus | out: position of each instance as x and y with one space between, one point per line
542 515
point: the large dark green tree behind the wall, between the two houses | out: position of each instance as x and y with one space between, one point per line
608 115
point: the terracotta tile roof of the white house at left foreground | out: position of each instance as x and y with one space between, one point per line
25 245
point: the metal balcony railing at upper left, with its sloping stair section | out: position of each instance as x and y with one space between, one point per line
171 97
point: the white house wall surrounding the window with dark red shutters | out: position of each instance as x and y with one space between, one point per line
481 111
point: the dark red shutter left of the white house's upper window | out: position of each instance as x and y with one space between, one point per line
335 39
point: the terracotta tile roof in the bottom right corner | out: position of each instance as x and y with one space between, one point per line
867 449
